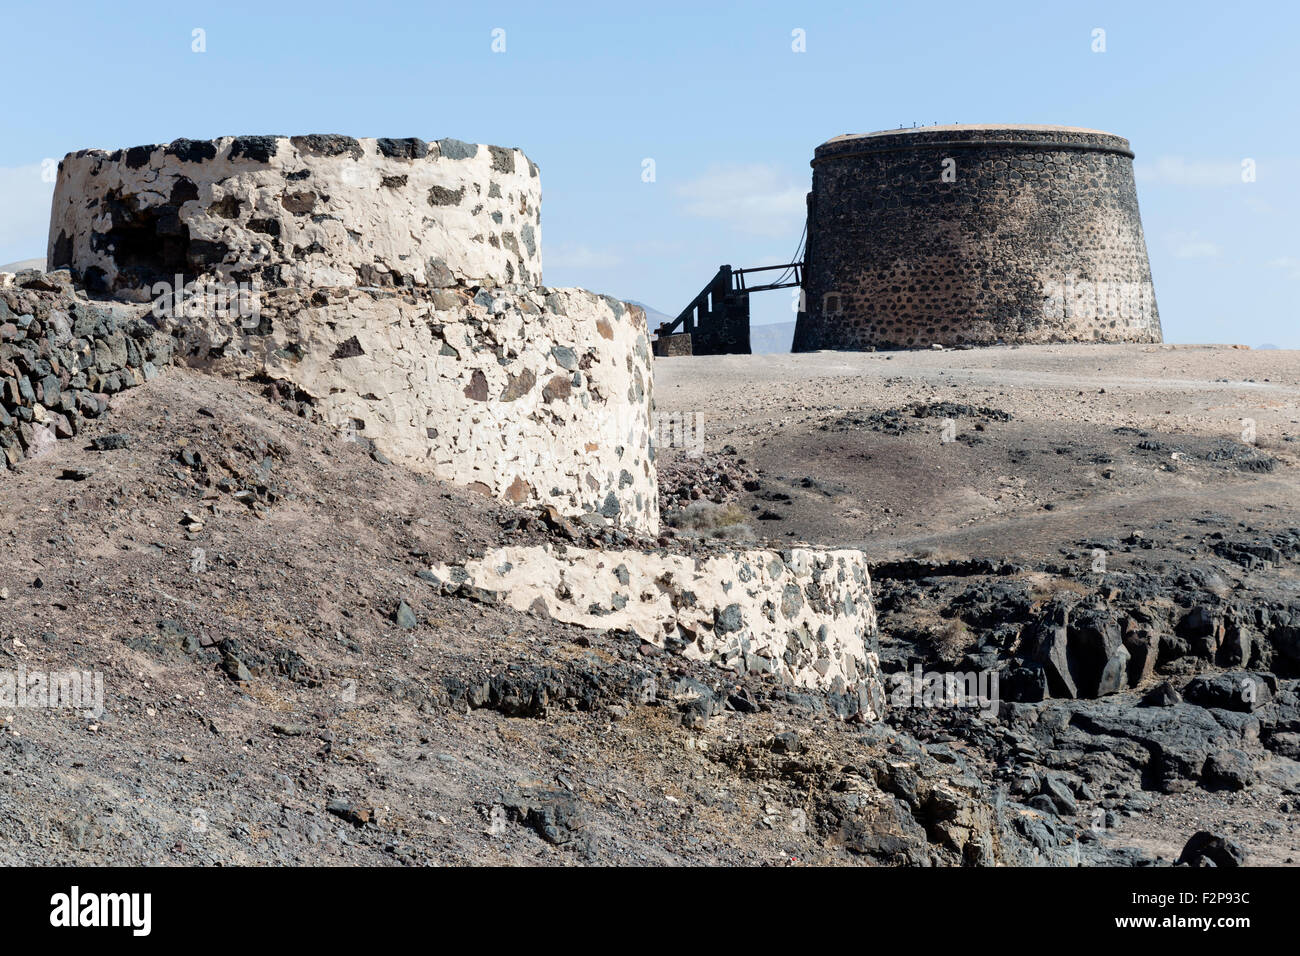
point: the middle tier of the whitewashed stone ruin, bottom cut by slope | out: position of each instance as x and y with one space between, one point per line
539 397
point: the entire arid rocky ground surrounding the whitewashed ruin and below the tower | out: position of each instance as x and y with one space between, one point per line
285 685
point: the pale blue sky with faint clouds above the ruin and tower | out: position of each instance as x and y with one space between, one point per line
716 96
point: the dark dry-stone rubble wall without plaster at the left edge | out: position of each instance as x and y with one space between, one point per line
62 357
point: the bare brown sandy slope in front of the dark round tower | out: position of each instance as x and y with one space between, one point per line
1060 442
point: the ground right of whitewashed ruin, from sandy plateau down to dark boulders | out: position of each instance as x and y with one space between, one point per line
1089 526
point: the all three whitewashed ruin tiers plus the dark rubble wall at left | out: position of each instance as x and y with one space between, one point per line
397 296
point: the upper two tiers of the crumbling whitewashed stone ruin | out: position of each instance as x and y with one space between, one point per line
397 284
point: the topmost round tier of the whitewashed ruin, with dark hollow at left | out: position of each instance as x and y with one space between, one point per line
314 211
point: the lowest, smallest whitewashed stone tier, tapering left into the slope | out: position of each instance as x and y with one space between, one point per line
804 616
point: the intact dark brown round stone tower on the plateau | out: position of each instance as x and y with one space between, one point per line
973 236
